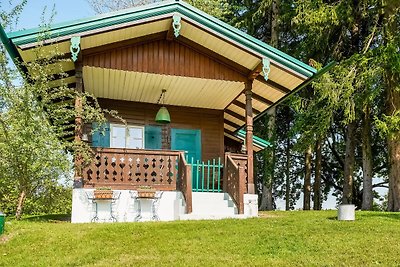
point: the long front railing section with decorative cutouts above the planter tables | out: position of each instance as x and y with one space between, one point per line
132 169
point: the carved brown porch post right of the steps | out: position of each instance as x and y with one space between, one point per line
249 137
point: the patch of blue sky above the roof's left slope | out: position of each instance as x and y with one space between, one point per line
66 10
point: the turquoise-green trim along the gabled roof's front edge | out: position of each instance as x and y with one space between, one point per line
158 9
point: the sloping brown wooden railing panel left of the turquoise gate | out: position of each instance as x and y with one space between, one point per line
185 181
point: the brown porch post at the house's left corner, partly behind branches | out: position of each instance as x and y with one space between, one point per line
78 180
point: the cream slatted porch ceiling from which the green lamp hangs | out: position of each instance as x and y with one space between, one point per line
146 87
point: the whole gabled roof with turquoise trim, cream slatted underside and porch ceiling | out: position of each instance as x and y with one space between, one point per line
199 31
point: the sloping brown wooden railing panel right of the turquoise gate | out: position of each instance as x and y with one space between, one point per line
235 181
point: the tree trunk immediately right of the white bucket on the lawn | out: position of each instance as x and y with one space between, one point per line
367 198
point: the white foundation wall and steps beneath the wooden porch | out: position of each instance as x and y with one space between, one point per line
171 206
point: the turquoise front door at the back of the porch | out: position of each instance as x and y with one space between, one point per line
187 140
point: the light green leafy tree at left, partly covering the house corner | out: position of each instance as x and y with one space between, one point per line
36 120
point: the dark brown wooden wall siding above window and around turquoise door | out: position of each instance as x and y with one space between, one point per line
210 122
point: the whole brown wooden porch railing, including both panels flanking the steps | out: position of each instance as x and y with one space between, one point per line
162 170
